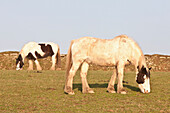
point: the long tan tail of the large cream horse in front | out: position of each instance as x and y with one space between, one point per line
68 62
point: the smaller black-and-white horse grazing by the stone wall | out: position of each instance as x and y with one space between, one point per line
32 51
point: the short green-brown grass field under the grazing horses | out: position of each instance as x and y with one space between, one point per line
32 91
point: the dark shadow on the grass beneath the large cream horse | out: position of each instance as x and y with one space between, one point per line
79 86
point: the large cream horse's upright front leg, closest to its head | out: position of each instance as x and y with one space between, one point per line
120 70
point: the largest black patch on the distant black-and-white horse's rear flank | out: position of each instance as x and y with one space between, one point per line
47 49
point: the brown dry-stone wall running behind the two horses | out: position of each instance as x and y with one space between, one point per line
157 62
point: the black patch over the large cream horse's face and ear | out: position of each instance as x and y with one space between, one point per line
141 74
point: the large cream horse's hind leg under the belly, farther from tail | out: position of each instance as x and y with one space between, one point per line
83 74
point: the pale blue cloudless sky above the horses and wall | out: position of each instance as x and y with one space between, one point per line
60 21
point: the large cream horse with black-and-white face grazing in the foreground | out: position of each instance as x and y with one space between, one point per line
117 52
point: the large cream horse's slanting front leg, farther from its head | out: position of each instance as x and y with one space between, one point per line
110 87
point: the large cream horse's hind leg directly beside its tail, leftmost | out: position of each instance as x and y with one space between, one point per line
69 82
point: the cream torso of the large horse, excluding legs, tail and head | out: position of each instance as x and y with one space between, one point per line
104 51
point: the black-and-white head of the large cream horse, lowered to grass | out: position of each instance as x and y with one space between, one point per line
143 79
